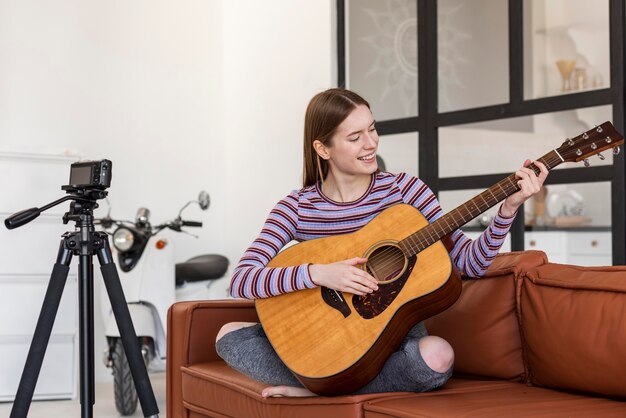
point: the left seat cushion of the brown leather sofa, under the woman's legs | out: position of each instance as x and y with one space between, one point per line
214 389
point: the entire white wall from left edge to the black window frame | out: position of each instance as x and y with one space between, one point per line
181 96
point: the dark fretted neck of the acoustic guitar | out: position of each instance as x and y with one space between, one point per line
469 210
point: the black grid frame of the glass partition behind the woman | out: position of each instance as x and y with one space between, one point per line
429 120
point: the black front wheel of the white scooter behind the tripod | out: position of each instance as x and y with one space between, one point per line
123 384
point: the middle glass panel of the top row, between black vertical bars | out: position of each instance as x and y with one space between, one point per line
473 62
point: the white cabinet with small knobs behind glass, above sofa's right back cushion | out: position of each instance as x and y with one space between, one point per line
584 248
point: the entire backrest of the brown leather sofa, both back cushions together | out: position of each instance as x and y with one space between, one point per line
546 324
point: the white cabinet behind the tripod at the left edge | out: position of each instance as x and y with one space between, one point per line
28 255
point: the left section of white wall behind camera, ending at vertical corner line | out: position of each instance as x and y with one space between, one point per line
136 82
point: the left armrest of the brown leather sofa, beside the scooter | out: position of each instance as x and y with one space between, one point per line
191 331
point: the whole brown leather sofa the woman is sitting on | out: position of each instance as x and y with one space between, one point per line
532 339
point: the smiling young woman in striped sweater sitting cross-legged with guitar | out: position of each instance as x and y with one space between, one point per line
343 190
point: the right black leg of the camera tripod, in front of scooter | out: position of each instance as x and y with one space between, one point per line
127 331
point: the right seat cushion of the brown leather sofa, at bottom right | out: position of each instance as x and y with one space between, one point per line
474 398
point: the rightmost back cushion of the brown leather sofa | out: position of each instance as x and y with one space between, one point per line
573 322
